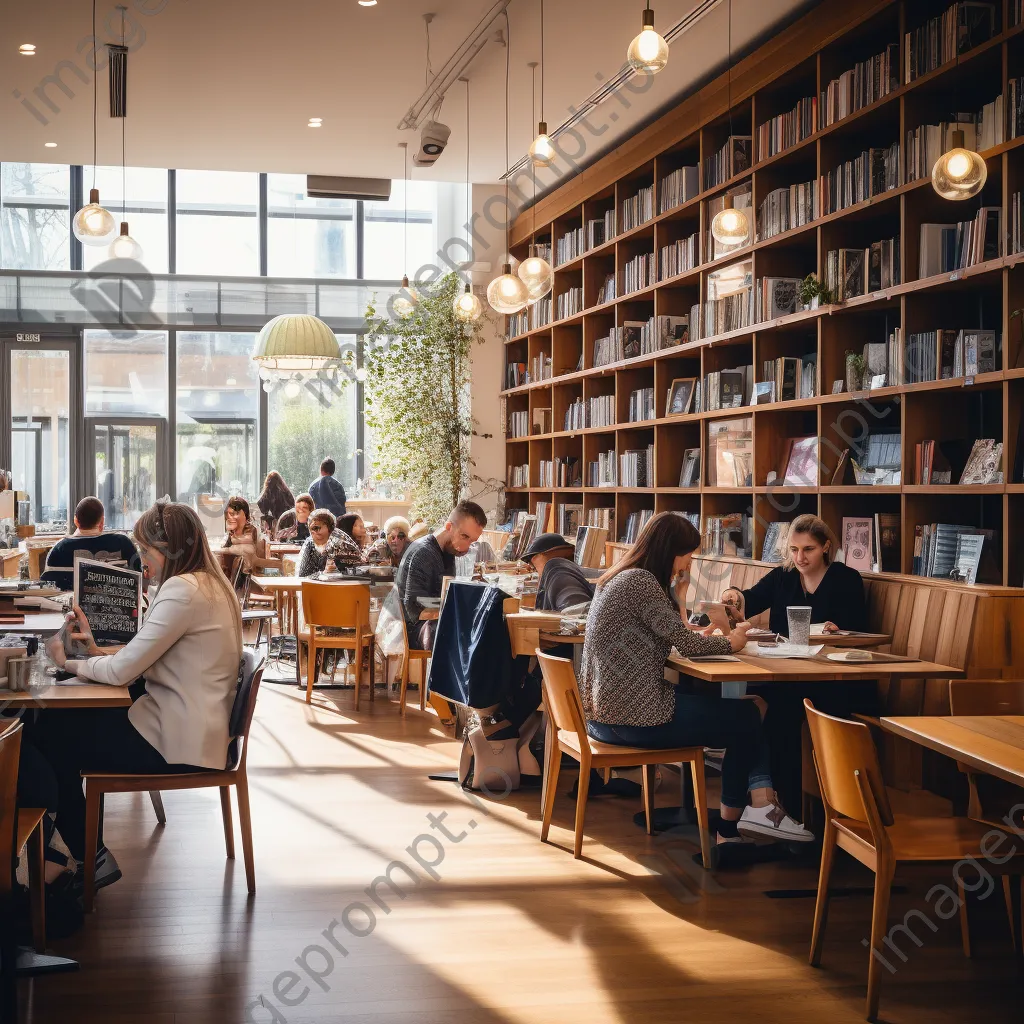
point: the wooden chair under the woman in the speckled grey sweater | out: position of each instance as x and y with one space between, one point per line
569 735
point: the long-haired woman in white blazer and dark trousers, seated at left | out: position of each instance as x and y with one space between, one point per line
188 652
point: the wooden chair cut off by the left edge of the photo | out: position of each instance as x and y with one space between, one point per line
28 831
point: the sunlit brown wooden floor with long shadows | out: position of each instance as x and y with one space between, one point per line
510 931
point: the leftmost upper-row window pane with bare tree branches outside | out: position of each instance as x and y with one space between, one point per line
35 217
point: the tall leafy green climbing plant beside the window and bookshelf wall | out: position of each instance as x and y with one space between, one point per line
418 402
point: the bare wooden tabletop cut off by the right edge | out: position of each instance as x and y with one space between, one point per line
993 744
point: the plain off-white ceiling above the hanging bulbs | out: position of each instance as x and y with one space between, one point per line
231 84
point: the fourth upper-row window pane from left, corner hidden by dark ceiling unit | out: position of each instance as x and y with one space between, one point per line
309 238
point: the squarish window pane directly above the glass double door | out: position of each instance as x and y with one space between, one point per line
126 373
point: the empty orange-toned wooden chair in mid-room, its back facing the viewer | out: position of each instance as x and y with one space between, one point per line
337 606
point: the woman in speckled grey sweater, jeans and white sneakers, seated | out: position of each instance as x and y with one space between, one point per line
636 619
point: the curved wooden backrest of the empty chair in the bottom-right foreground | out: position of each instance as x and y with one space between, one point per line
843 749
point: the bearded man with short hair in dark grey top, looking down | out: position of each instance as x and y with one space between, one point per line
428 563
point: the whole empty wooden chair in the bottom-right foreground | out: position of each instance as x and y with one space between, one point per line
860 820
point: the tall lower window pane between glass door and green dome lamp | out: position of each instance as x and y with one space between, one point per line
218 448
